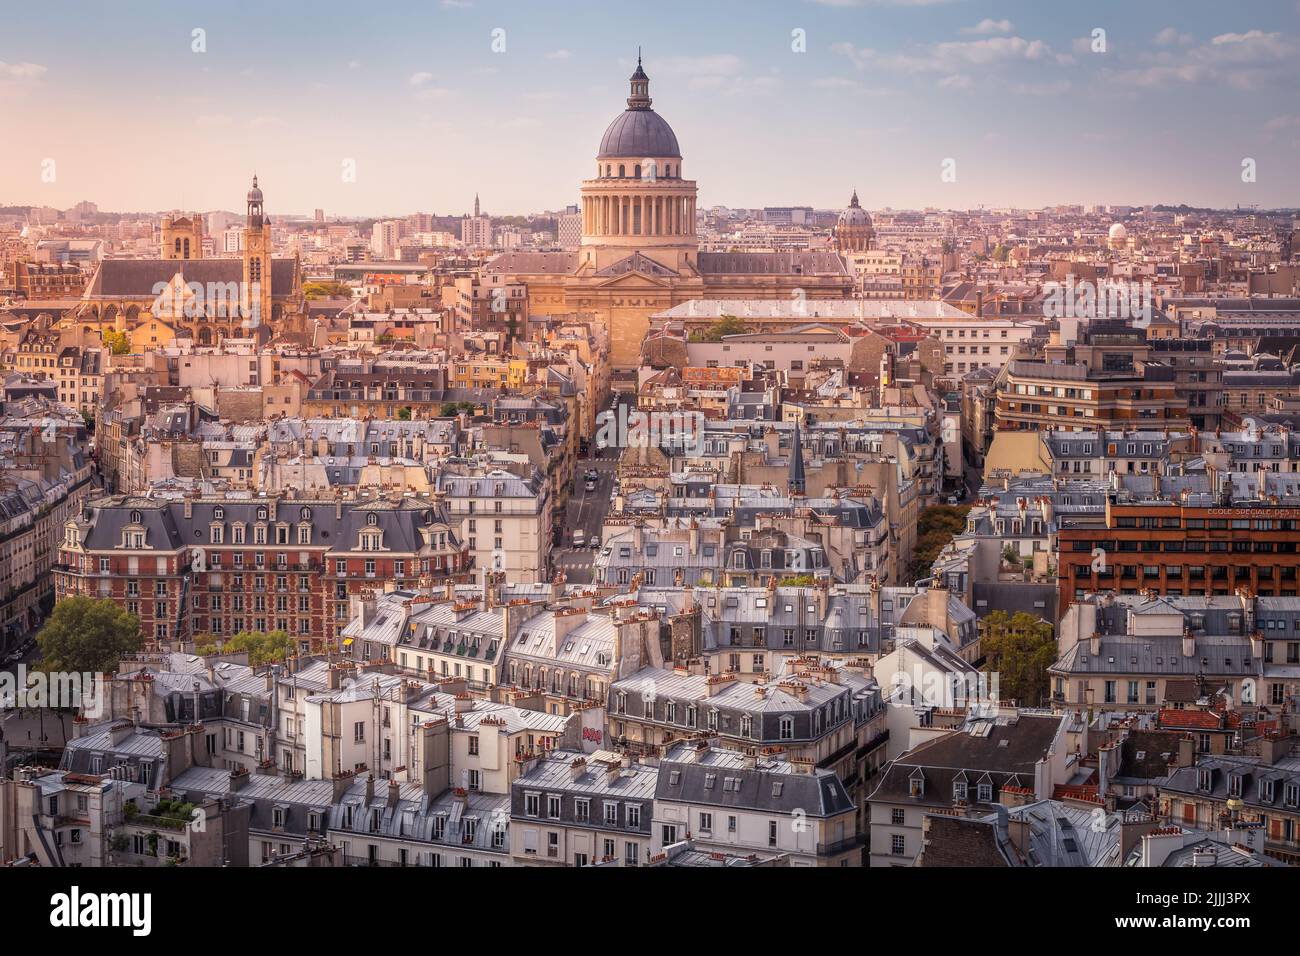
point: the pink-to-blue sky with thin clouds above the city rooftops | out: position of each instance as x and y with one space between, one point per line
882 97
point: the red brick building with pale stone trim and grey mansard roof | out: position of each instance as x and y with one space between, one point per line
200 565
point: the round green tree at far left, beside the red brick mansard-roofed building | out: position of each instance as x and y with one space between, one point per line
86 634
